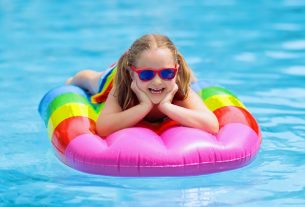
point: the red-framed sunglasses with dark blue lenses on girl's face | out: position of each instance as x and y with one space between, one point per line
147 74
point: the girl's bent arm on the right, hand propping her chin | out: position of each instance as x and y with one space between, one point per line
191 112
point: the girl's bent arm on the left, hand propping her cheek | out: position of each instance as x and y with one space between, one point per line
112 118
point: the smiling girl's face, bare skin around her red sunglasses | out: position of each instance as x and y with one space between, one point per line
156 58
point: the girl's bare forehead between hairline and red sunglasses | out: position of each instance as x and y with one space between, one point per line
155 57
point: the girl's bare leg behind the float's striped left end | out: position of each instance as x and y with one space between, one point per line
86 79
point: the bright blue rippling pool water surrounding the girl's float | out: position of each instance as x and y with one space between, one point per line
254 48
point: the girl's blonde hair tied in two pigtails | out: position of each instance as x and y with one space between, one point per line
123 80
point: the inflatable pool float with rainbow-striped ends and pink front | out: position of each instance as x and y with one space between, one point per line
165 150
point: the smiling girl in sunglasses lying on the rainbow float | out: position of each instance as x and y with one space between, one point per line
152 83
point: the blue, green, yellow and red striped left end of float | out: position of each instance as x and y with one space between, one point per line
68 113
